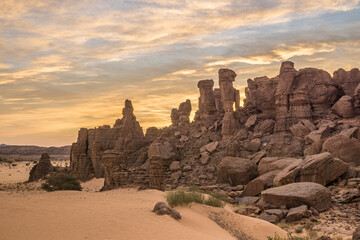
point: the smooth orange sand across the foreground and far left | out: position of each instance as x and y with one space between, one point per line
116 214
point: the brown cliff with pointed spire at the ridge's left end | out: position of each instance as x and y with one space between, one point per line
86 160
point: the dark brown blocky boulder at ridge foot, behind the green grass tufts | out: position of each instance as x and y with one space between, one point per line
236 171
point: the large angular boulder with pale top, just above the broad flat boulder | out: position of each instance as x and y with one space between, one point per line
322 168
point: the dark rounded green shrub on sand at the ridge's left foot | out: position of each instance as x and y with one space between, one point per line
61 181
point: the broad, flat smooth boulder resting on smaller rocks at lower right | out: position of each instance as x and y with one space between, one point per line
296 194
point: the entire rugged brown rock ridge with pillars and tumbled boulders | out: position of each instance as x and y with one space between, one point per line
300 127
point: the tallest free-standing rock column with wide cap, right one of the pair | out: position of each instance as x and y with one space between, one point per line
228 97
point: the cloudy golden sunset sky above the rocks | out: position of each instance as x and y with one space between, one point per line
70 64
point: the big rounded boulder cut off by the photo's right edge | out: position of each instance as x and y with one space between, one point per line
347 149
